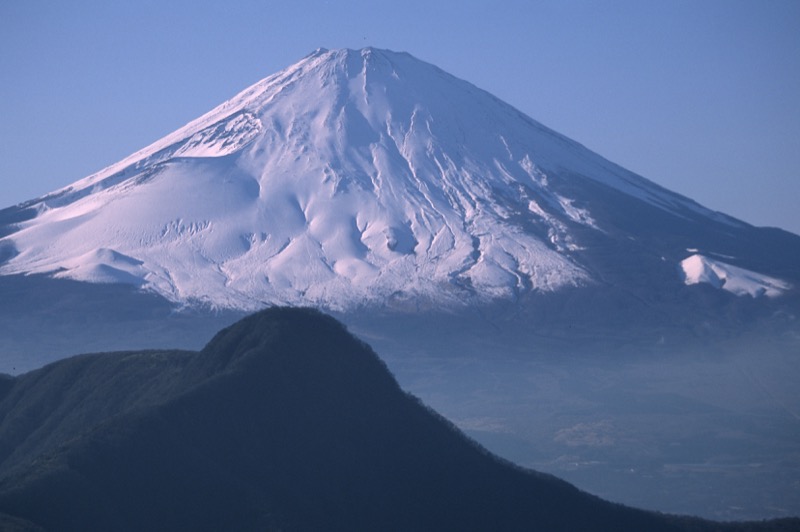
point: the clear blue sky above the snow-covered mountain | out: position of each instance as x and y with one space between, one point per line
700 96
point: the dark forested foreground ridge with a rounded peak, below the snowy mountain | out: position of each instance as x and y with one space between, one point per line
284 421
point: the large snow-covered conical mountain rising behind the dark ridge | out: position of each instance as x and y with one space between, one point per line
364 177
